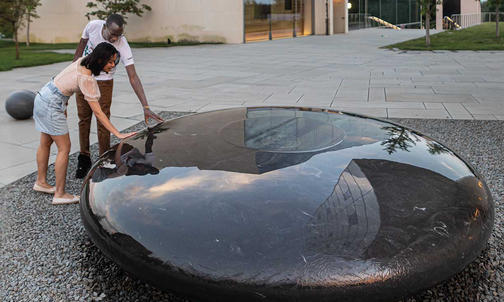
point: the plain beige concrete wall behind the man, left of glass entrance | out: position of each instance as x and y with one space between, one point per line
202 20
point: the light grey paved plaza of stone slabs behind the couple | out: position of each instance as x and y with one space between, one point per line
344 72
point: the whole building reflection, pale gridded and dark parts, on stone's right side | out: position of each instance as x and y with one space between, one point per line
382 208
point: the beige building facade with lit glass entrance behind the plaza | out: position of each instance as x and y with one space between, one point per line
234 21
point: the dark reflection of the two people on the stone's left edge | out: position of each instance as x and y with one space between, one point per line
129 161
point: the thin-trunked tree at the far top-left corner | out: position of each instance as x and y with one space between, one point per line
12 13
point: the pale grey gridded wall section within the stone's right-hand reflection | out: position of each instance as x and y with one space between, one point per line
348 220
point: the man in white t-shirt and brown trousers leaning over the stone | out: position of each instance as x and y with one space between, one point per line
95 32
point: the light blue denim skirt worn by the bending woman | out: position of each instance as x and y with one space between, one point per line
49 110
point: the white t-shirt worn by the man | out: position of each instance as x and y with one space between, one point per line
93 32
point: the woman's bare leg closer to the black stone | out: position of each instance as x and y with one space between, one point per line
61 164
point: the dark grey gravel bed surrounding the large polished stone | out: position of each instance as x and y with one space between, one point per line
46 254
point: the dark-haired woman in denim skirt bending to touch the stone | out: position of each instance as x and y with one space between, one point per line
49 113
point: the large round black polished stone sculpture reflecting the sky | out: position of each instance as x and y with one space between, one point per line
292 204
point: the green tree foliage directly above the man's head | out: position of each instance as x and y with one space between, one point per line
104 8
